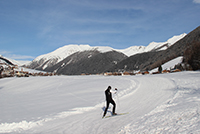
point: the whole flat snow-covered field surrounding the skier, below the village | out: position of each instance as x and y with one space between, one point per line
162 103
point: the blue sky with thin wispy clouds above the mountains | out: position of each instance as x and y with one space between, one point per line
29 28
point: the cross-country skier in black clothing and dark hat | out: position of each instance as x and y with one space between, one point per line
109 100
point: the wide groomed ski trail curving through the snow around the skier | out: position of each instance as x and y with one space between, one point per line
87 119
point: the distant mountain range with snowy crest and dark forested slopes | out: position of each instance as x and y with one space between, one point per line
77 59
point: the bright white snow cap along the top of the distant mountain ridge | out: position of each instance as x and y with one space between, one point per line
67 50
